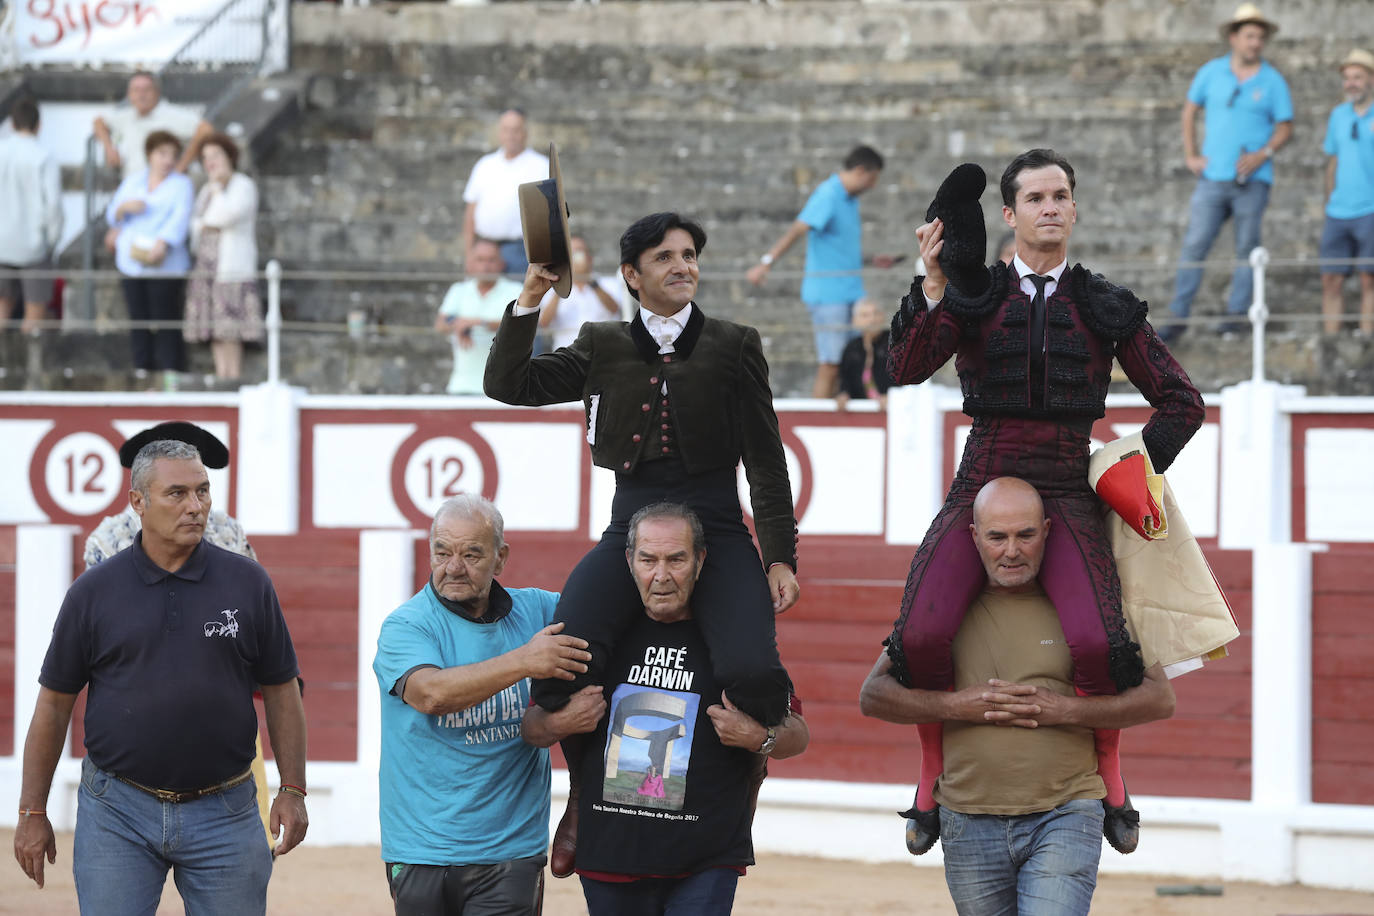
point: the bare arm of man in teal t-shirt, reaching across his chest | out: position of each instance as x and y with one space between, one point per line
436 691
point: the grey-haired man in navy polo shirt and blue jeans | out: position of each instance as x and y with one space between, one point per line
171 638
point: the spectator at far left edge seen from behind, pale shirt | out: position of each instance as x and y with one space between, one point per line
31 186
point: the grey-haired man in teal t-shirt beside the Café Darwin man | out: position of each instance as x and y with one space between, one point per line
464 800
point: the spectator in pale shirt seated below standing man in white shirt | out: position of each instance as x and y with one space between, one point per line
471 314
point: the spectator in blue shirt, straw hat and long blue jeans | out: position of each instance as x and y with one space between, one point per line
1248 117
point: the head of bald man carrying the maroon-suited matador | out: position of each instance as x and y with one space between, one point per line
1011 531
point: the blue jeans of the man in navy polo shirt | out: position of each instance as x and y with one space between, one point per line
128 840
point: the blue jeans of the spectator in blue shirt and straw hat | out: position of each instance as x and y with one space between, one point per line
1214 204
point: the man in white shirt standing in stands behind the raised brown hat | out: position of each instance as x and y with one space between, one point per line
493 194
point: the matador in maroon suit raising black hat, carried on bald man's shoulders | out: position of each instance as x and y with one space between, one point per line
1034 345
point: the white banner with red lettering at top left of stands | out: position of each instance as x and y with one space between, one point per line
95 32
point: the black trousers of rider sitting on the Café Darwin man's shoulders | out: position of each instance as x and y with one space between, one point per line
732 602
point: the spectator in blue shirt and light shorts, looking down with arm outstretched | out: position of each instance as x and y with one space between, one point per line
835 257
